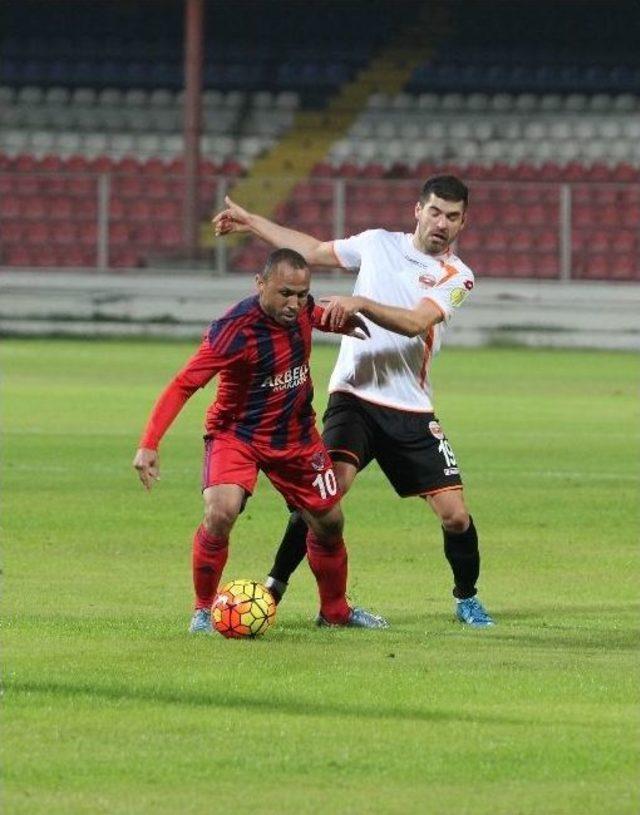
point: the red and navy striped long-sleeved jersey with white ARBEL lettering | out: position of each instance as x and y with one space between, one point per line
265 390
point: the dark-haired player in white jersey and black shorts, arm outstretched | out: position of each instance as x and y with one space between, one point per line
380 406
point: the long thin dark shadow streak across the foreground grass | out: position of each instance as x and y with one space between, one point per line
226 698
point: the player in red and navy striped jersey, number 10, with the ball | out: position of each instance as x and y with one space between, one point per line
262 419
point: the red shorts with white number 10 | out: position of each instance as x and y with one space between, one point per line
302 474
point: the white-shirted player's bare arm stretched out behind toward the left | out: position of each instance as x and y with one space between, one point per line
236 219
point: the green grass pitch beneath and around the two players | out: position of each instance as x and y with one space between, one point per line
110 707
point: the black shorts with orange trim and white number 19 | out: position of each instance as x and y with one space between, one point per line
410 448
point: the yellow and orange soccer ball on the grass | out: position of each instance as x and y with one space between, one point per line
243 608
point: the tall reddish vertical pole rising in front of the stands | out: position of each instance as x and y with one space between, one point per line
193 58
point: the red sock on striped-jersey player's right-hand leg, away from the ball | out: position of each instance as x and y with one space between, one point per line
328 562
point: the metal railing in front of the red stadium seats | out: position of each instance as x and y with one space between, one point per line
112 221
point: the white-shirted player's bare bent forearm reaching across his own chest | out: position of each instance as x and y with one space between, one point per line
408 322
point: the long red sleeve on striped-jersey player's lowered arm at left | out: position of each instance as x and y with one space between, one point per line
214 354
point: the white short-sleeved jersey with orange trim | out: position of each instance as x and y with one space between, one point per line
390 369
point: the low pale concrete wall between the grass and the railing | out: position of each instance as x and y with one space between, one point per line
533 313
